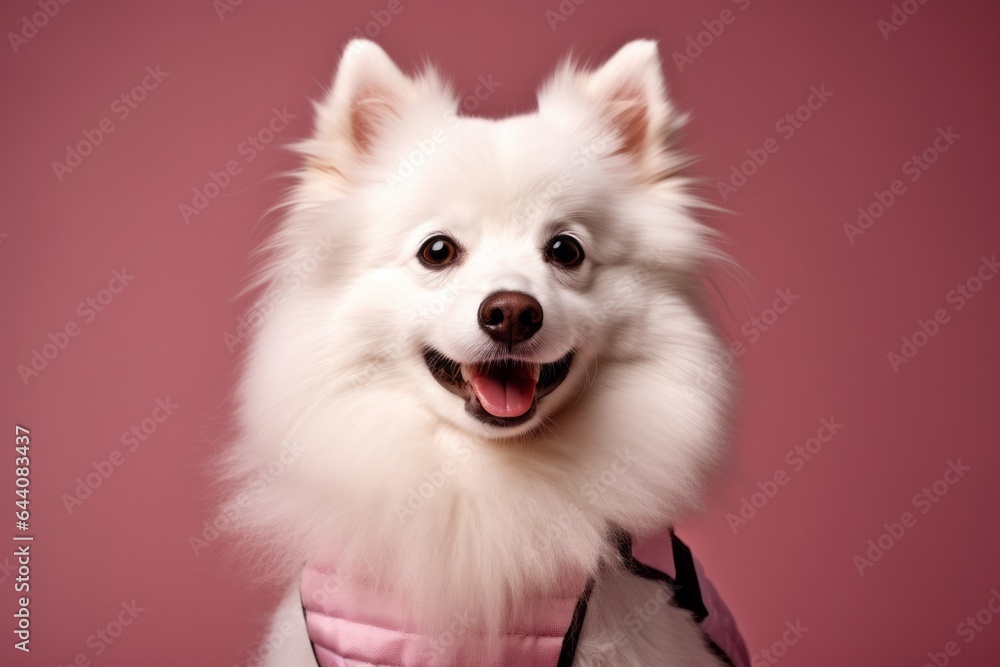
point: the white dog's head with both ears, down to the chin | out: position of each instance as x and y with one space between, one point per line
487 267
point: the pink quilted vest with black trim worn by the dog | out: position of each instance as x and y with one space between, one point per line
352 625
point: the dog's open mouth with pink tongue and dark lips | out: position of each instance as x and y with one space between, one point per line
498 393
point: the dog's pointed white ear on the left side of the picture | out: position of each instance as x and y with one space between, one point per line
369 93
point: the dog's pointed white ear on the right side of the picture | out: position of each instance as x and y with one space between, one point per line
629 96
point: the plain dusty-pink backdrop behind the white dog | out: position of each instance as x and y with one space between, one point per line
825 357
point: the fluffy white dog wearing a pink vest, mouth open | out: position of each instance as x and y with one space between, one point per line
490 370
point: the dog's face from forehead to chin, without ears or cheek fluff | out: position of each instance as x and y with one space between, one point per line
506 245
